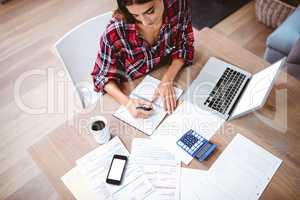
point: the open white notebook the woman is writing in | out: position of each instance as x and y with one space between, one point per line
145 90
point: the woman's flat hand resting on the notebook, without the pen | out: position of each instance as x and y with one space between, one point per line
167 92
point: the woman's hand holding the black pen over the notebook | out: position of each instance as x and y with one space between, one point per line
134 106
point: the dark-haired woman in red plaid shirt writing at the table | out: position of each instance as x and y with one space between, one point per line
143 35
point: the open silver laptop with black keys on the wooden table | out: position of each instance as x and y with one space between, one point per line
229 91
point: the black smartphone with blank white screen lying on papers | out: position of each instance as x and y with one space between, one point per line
116 170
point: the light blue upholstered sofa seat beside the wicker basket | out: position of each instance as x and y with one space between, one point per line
280 42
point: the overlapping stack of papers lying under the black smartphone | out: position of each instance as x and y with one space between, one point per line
93 169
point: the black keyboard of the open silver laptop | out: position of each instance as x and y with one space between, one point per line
225 90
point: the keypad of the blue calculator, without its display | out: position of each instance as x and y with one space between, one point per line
191 142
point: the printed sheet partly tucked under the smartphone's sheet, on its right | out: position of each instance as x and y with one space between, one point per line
160 167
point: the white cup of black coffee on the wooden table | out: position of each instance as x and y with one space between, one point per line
98 126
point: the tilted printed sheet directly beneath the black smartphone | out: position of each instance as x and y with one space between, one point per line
95 165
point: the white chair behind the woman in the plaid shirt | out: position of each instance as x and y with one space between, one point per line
78 50
